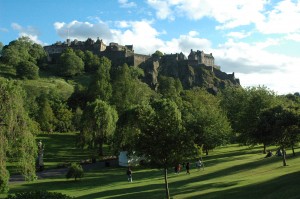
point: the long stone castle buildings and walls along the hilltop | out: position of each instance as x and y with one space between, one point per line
119 54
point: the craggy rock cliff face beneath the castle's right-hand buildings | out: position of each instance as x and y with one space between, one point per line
190 74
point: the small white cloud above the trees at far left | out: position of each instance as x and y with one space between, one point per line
29 31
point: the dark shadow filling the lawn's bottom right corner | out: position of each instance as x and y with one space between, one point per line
286 186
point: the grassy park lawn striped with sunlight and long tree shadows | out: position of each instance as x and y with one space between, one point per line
230 172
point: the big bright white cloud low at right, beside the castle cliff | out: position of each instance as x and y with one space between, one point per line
255 66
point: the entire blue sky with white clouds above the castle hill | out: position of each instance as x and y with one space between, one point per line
259 40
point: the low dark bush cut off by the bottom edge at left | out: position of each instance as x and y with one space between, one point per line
38 195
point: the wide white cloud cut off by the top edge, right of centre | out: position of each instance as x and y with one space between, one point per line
229 14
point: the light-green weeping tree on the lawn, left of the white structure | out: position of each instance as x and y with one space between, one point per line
98 124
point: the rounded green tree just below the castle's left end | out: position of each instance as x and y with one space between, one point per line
70 63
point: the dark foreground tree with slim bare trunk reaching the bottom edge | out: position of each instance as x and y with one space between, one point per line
162 138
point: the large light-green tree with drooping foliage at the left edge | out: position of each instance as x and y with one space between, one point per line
17 131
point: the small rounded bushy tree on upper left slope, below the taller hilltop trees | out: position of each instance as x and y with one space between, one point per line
27 70
